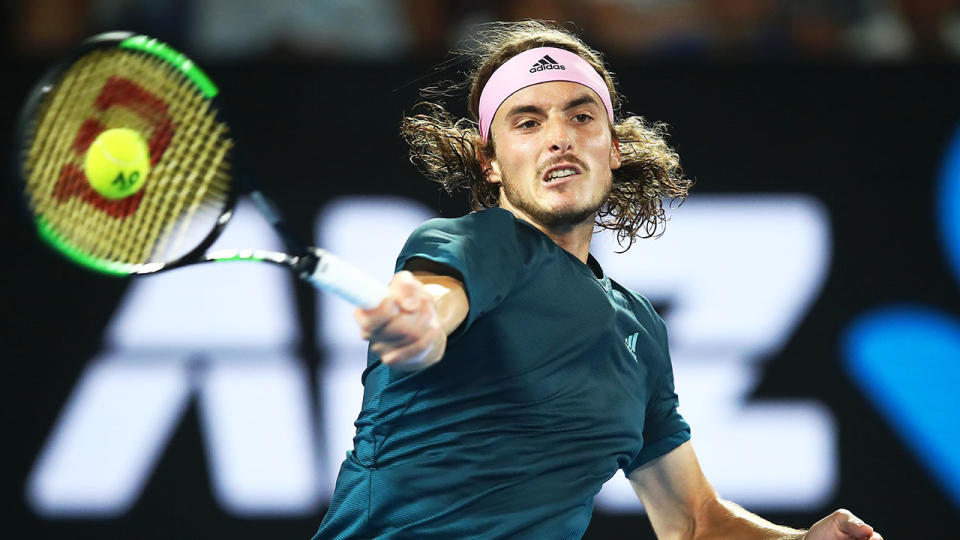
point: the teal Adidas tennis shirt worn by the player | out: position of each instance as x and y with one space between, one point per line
558 377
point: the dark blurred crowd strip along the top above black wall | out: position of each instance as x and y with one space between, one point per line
724 30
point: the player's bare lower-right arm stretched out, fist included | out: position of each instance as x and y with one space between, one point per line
683 505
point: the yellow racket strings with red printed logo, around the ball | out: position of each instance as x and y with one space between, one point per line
187 187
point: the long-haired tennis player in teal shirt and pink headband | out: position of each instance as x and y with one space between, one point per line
508 376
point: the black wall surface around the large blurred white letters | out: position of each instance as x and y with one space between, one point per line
866 139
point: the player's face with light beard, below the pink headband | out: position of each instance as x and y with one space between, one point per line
554 154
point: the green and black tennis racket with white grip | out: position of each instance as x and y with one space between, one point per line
123 80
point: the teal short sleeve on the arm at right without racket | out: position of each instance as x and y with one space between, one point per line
664 428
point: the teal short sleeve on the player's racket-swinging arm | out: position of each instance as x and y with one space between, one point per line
485 249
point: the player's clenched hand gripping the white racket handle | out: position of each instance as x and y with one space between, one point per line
404 330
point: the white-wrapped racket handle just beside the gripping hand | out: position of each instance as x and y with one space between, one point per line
333 274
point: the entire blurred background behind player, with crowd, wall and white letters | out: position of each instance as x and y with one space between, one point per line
811 284
